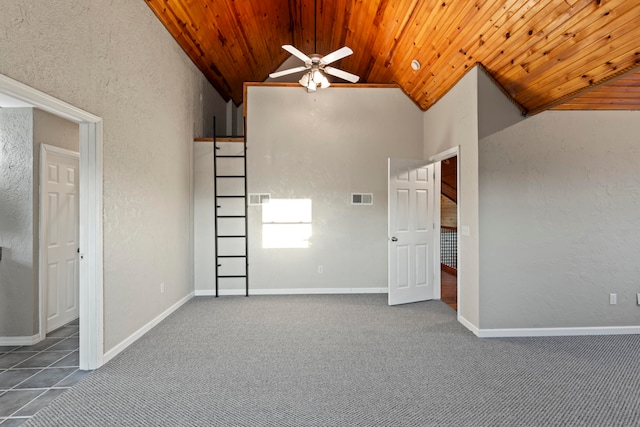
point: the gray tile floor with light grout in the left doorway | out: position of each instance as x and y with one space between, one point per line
32 376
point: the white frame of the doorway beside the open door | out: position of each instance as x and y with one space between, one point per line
438 158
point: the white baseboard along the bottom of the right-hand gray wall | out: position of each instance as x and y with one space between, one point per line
557 332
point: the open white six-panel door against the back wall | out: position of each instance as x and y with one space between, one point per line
411 231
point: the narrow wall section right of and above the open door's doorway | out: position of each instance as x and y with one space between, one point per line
453 121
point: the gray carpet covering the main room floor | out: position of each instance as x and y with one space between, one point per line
350 361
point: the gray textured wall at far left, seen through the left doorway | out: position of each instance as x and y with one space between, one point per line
17 279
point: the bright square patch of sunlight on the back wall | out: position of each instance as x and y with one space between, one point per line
286 223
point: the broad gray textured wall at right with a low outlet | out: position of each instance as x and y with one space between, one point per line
559 221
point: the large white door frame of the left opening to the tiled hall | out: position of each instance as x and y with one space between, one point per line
91 210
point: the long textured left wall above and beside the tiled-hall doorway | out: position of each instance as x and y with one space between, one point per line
116 60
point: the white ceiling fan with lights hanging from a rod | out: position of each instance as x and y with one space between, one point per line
316 64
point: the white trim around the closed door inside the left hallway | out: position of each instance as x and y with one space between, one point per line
45 149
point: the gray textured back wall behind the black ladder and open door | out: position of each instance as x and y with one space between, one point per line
322 147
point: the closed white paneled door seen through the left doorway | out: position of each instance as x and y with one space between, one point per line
59 221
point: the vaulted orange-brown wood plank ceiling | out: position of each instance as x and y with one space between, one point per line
542 52
